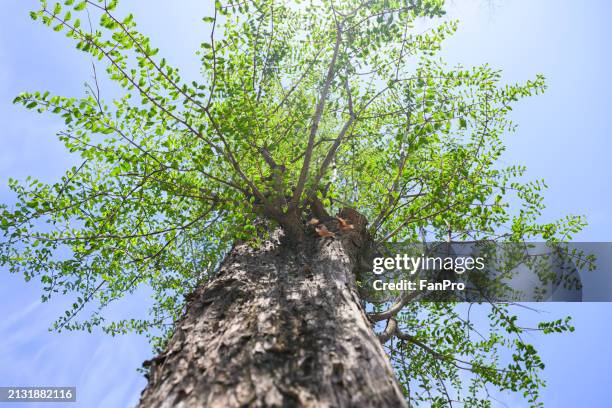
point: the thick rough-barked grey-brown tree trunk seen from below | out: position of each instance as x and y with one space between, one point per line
279 326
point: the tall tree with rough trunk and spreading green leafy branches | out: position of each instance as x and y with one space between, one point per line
204 192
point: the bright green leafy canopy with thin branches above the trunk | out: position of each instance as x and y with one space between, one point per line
342 102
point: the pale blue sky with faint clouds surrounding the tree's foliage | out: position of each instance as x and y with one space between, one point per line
562 137
